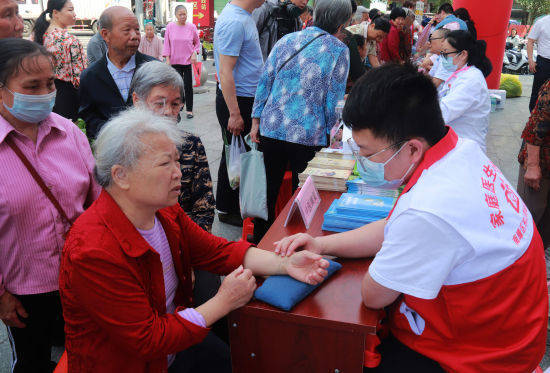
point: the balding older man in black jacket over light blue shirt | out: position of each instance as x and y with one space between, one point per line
105 85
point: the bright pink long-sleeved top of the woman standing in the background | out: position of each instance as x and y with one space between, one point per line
180 42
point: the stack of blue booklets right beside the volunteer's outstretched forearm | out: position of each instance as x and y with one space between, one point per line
353 210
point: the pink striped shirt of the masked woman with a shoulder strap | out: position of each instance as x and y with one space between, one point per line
31 229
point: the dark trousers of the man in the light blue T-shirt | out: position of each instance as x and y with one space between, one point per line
227 199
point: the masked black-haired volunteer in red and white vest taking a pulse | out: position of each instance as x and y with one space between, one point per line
459 261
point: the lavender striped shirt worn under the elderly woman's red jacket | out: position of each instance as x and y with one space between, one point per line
158 241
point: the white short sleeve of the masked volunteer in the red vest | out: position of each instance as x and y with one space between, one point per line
418 253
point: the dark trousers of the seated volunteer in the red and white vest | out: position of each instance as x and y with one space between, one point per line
396 357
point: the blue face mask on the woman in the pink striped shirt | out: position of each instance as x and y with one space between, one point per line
31 108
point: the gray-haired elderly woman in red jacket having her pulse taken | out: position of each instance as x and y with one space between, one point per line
125 277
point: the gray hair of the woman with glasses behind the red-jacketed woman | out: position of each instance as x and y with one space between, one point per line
152 74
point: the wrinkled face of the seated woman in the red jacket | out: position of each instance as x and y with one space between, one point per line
154 182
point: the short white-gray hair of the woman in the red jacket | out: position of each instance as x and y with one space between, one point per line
120 141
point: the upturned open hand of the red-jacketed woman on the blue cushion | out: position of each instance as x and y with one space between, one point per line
307 267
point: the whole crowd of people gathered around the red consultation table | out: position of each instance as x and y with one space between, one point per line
111 253
